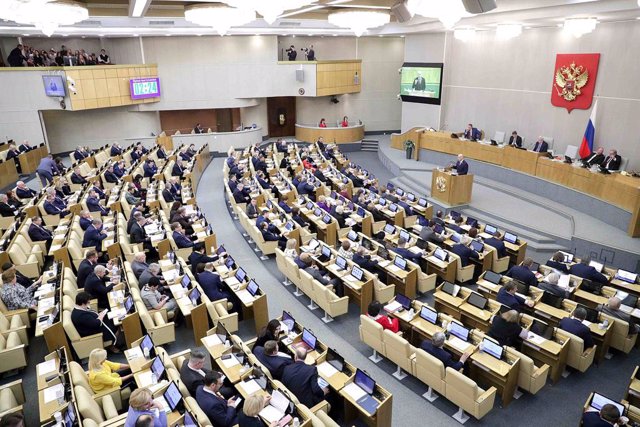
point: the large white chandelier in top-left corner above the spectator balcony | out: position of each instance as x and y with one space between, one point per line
45 15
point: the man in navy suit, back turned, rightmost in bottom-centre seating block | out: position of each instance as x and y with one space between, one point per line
302 380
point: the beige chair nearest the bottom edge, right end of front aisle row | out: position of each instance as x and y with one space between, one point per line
470 398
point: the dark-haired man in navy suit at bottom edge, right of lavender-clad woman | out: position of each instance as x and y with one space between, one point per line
220 411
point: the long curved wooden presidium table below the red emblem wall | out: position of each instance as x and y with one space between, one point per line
616 189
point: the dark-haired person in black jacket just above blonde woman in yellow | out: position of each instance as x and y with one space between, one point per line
87 322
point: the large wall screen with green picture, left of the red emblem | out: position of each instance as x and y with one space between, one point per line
421 82
